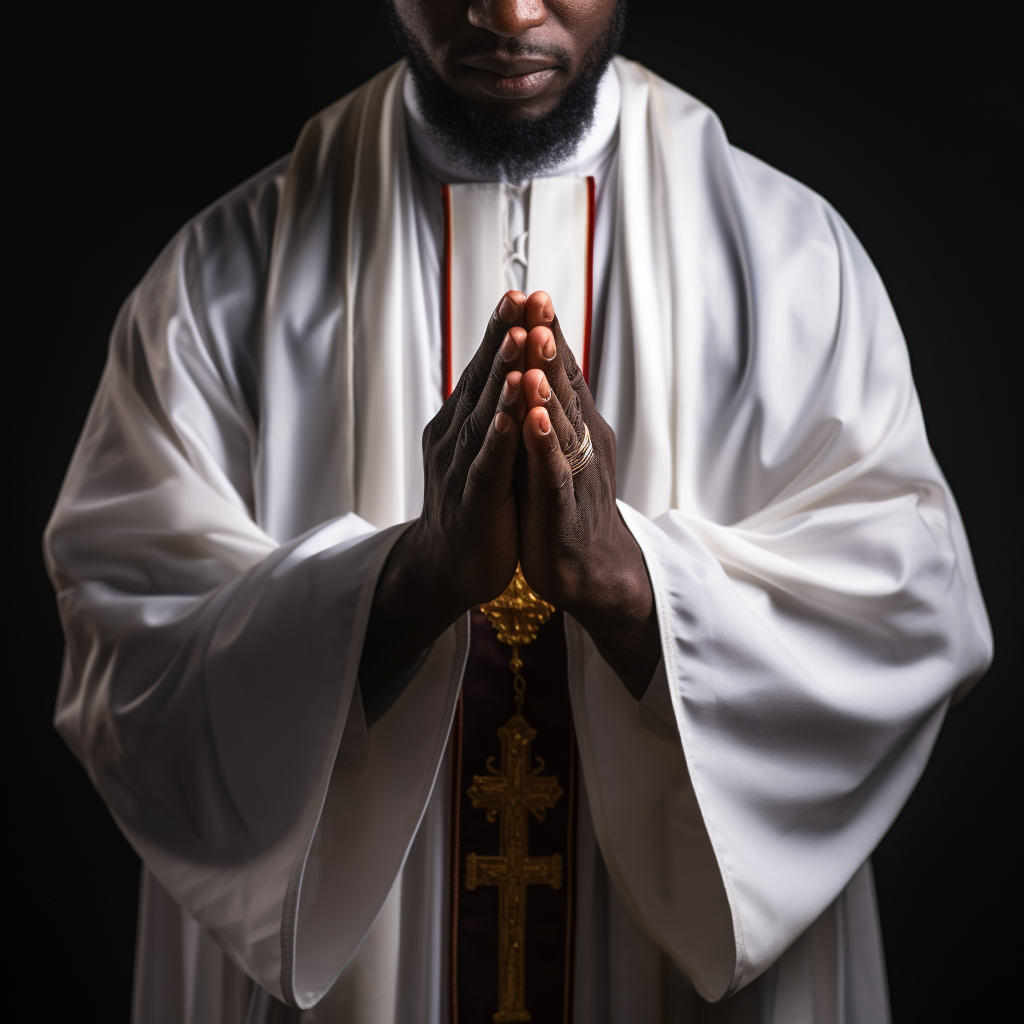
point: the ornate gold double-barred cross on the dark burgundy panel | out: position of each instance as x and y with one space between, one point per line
516 792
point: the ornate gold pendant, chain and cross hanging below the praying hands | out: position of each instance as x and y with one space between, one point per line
516 791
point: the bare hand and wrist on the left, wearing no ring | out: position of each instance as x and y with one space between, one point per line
463 549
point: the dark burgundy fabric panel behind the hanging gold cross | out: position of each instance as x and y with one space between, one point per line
487 704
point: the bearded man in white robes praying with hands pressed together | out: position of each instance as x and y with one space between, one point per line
504 572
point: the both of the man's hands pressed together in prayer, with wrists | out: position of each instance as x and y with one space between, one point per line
499 489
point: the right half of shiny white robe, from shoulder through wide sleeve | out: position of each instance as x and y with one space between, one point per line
817 599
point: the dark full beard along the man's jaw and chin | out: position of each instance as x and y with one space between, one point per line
510 150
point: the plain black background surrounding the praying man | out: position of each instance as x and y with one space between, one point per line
126 121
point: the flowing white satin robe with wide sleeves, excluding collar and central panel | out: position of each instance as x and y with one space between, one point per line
249 460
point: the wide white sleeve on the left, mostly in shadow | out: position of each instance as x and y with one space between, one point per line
209 685
